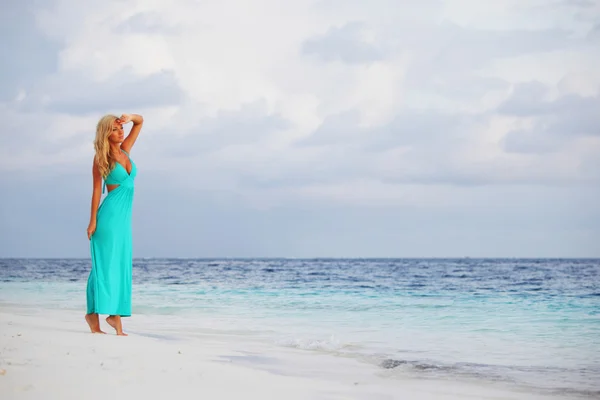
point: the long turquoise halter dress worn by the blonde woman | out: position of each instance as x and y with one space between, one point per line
109 282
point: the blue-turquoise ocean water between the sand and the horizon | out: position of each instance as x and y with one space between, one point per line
527 323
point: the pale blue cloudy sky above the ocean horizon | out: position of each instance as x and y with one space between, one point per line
308 128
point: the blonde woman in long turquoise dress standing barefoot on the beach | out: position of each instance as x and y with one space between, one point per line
109 231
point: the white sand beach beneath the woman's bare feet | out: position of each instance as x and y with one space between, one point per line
51 355
